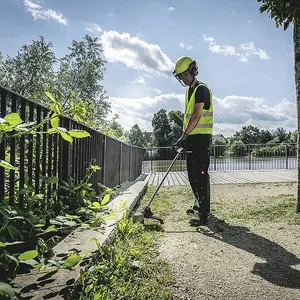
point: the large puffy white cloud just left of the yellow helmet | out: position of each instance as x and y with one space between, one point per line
135 53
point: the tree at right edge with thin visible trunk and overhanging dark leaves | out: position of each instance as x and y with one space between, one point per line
285 13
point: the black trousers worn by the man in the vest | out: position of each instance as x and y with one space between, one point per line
197 168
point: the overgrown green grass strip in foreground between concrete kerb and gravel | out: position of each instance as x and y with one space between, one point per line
128 269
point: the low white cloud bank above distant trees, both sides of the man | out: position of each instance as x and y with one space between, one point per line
231 112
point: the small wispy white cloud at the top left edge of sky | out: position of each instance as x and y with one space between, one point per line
38 12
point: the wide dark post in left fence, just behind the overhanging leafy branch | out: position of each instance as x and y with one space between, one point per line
65 154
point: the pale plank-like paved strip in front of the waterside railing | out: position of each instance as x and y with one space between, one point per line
223 177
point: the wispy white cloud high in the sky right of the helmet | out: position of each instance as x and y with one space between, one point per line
243 52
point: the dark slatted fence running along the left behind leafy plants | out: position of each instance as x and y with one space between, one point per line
45 156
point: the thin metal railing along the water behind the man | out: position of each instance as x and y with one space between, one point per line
227 157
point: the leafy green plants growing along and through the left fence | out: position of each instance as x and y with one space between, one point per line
28 235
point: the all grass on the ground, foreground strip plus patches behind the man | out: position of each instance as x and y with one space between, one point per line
131 268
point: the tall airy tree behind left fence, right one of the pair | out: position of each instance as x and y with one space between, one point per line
81 71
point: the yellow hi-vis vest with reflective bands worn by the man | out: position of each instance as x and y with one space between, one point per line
205 123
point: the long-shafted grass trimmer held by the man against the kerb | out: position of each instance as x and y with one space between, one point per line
146 212
